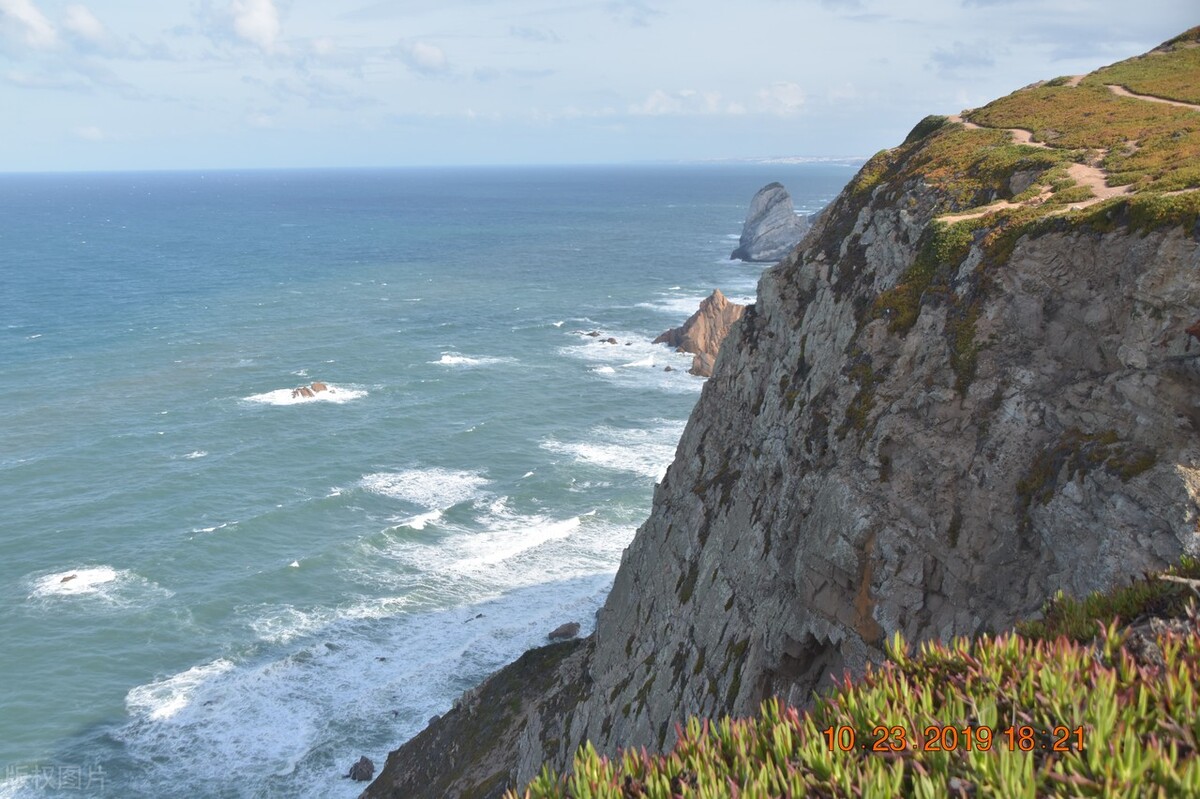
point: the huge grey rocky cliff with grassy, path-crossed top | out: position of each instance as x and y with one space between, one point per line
973 386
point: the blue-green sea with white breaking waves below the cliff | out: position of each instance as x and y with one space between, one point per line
209 587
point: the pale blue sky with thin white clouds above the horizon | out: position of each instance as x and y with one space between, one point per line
209 85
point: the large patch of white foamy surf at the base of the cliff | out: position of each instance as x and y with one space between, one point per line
291 725
